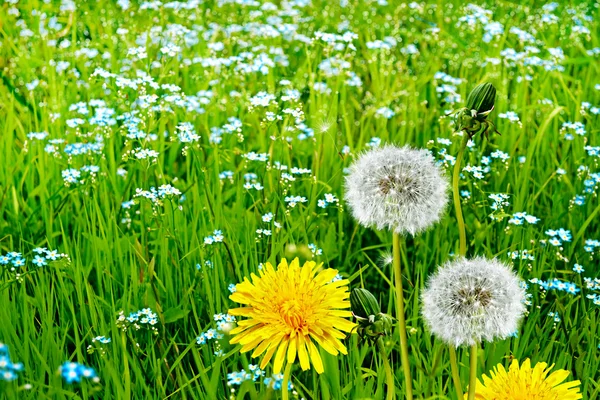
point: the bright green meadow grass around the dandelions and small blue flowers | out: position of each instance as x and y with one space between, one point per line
50 314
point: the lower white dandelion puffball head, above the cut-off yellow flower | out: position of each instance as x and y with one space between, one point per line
467 301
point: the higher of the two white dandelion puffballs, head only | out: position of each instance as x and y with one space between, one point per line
398 188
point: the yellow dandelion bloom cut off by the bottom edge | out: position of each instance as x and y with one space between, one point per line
526 383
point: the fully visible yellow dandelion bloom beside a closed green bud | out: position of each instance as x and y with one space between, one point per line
290 308
